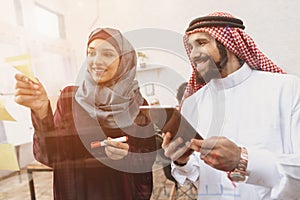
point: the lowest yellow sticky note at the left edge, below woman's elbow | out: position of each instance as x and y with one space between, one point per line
8 157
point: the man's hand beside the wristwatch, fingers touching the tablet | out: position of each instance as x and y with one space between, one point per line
218 152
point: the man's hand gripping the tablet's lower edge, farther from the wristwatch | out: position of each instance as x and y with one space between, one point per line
172 150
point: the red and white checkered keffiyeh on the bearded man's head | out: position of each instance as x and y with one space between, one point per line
238 42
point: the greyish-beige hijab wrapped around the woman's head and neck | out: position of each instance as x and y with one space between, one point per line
114 104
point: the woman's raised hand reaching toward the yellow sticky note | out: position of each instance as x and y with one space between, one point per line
32 95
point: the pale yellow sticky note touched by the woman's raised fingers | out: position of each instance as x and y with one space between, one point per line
23 64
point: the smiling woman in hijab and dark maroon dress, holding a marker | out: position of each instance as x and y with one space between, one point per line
104 105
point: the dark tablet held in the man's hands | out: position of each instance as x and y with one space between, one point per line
169 119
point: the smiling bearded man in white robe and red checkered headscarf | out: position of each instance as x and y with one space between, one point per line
248 115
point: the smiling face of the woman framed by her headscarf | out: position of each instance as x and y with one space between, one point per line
103 60
